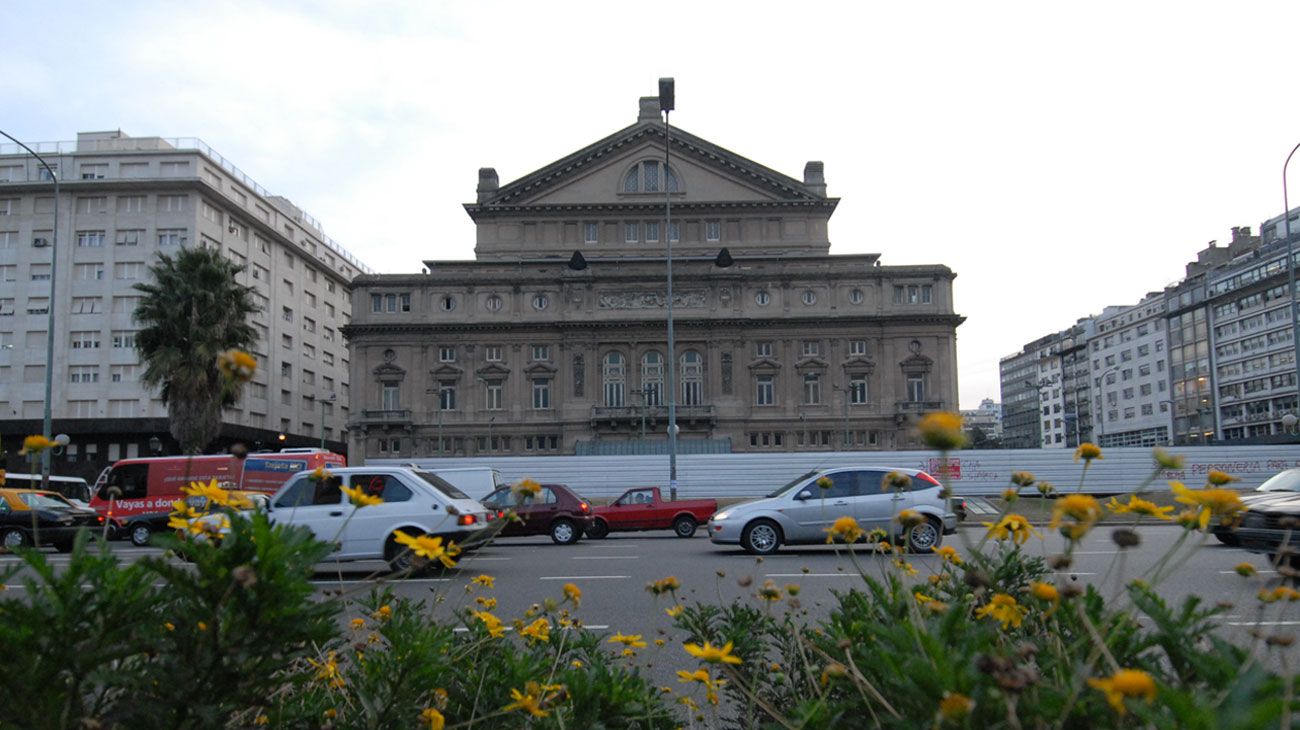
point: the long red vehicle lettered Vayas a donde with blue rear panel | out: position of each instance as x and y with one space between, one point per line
148 486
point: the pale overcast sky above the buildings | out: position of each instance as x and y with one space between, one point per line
1060 158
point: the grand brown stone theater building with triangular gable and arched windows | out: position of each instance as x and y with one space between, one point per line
553 341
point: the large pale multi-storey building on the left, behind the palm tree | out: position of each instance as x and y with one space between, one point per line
123 202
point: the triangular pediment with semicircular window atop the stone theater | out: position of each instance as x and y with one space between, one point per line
707 173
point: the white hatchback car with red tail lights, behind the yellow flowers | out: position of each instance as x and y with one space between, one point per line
415 502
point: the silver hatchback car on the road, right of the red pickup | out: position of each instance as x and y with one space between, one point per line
801 512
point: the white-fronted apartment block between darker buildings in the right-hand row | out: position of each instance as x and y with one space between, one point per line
1130 379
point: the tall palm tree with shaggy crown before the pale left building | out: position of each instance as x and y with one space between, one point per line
193 311
